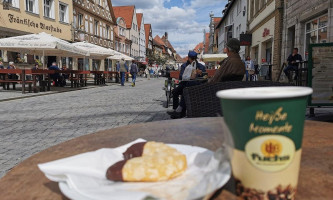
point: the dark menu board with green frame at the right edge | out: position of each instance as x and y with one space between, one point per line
321 74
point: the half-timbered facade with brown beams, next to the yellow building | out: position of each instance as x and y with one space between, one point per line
93 22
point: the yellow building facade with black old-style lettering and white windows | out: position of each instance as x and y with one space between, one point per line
32 16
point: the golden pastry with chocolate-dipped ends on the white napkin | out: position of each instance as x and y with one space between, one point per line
147 162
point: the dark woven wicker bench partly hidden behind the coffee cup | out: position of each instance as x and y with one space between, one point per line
201 100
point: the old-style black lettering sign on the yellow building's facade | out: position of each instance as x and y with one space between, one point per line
30 23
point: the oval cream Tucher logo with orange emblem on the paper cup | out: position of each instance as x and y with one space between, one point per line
270 153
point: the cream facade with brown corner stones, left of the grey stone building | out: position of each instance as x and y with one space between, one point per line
265 23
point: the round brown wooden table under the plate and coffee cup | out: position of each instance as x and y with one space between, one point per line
26 181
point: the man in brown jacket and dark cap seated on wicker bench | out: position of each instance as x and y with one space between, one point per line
232 68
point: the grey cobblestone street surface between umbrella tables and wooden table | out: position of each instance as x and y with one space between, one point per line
33 124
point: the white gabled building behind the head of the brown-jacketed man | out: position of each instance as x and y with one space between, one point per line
233 24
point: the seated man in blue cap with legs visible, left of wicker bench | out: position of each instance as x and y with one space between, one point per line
179 108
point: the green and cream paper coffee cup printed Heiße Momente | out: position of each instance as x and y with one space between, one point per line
266 124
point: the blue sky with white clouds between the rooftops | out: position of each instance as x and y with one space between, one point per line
184 20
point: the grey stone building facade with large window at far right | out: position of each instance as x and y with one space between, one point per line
306 22
